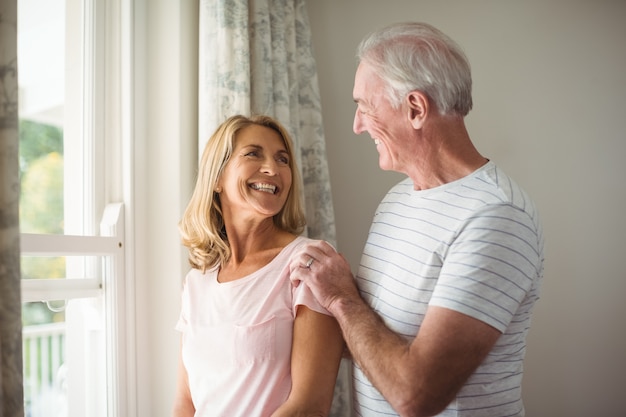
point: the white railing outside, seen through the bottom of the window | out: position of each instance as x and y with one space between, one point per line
43 349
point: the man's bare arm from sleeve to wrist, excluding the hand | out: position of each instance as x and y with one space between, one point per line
419 377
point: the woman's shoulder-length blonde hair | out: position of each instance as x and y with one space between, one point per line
202 226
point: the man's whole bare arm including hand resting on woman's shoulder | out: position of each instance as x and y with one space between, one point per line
417 377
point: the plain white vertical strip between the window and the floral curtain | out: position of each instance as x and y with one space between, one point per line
165 126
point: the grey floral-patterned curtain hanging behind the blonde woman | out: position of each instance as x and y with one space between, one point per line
256 57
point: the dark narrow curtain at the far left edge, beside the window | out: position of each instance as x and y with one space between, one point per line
11 392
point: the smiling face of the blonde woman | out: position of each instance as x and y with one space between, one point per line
257 178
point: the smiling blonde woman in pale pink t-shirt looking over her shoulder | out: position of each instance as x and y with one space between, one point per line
252 344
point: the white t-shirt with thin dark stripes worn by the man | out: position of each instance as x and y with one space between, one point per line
475 246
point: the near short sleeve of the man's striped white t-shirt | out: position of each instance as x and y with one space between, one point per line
491 267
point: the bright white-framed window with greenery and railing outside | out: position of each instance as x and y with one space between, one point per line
77 324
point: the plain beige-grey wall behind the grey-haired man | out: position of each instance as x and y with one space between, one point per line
549 108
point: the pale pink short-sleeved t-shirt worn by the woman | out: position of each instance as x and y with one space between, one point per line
237 338
